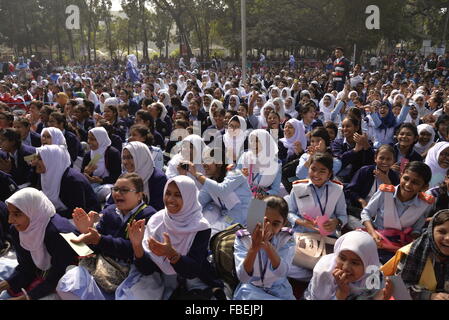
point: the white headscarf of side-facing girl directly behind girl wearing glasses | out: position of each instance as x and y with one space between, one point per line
143 162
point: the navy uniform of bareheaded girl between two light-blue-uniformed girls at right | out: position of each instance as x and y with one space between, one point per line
364 184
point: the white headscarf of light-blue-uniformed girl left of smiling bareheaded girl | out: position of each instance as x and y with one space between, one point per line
265 162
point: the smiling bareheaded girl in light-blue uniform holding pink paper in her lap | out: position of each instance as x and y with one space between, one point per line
318 198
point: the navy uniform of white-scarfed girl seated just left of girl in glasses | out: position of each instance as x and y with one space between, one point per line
76 192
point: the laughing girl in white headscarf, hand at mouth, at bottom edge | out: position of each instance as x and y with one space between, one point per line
344 275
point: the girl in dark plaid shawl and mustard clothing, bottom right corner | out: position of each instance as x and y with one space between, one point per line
423 264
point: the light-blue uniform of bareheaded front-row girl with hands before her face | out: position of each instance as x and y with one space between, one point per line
265 283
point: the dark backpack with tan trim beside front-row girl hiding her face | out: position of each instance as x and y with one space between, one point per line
222 247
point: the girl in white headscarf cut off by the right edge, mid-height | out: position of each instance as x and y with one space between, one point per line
438 161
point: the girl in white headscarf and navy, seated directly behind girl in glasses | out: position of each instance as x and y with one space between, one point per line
137 158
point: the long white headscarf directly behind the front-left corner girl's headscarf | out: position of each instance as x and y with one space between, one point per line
56 161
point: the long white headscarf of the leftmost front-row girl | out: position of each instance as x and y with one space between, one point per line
39 209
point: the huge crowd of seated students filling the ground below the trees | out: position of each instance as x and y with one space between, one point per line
146 172
